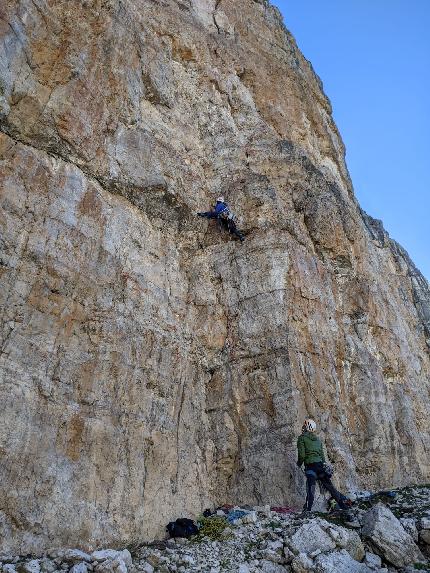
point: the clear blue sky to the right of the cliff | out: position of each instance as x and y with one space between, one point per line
373 57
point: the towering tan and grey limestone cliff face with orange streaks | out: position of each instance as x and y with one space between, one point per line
151 365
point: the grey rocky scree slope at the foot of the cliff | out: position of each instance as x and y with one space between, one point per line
367 539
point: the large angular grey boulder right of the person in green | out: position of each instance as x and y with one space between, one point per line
389 539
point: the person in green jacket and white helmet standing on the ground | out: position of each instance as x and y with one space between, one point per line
310 452
